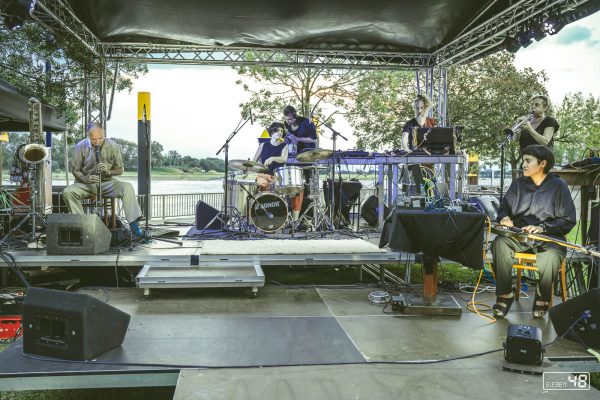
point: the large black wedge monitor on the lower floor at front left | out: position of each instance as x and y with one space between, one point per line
71 326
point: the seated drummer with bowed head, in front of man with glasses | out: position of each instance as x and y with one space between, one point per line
272 154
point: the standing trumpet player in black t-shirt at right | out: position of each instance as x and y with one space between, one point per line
537 127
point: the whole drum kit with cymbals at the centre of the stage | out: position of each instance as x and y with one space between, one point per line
268 211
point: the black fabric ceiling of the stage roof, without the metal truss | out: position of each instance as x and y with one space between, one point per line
401 25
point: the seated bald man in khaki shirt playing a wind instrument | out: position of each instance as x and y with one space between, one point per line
89 172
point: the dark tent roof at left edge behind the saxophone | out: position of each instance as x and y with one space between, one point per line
14 111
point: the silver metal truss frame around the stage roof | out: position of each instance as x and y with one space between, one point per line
469 45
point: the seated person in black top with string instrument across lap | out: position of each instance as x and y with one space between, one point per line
538 202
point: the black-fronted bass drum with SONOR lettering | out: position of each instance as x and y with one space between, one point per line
268 212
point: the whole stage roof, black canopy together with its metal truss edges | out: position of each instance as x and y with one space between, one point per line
377 33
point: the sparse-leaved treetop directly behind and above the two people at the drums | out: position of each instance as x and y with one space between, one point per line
308 89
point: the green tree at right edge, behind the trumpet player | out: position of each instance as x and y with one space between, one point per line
579 119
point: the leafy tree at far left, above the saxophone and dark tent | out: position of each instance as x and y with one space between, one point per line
55 69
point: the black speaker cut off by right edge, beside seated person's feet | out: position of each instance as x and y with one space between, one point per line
586 309
